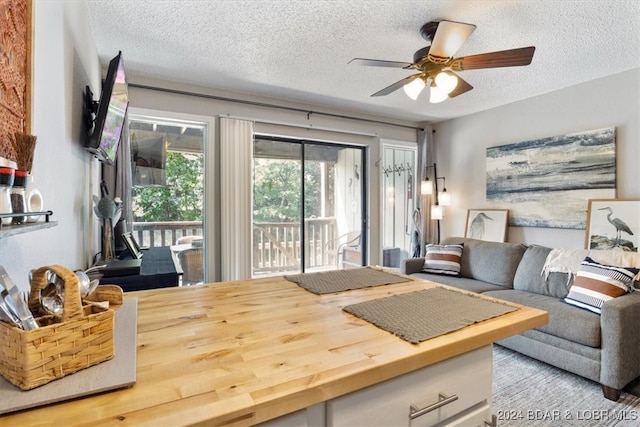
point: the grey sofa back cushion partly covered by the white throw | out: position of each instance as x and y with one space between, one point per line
529 275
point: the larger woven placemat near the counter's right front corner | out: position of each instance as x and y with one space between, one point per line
420 315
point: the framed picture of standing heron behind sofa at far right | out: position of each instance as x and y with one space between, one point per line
613 224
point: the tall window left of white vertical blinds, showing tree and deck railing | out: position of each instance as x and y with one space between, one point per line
167 197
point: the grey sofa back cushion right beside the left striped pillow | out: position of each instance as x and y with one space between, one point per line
492 262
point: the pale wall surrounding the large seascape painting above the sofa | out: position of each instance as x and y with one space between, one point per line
461 144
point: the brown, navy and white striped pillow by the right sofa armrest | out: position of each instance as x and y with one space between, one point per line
597 283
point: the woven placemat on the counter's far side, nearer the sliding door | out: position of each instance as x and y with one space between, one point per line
325 282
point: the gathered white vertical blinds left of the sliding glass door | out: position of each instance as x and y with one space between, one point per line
236 180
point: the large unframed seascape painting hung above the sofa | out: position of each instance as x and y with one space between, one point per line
548 182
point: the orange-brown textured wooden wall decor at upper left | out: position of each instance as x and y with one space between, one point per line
15 71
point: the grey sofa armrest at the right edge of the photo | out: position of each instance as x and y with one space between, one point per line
619 322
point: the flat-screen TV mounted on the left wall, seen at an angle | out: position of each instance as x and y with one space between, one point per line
106 118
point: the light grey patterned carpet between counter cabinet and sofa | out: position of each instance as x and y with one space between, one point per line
527 392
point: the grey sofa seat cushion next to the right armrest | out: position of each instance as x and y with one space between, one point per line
565 321
